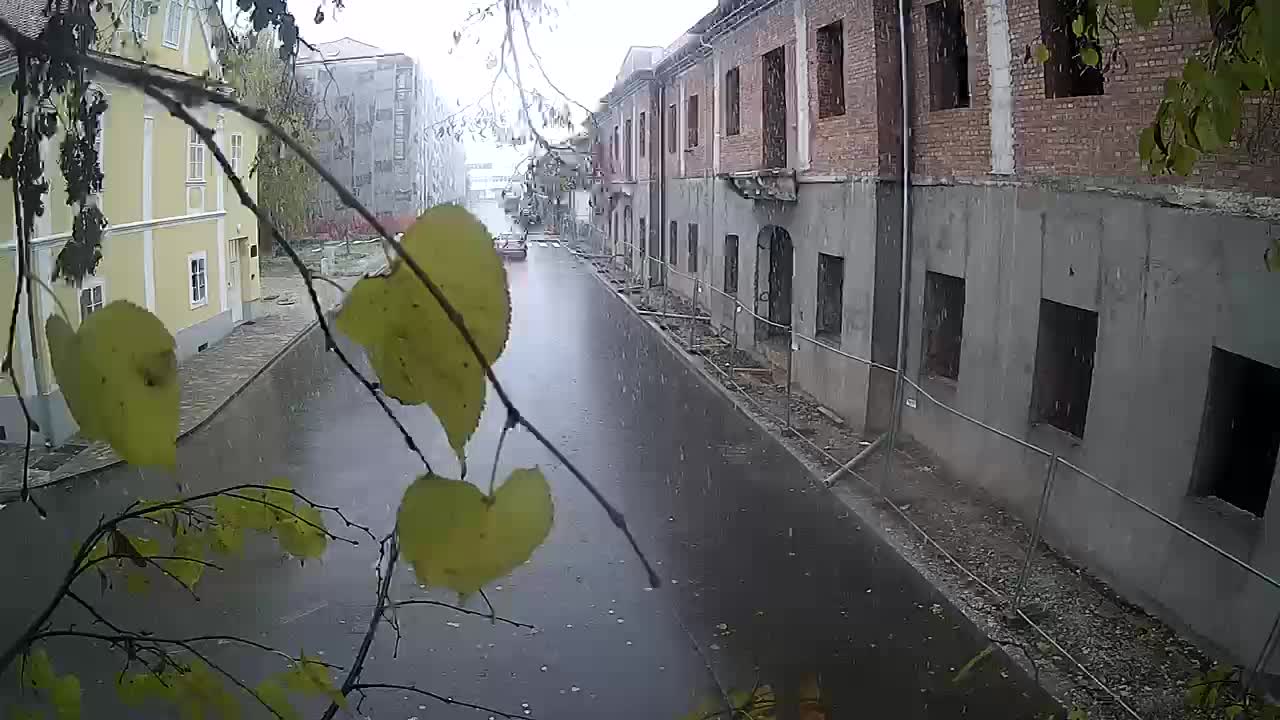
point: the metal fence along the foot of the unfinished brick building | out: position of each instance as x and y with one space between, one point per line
1059 472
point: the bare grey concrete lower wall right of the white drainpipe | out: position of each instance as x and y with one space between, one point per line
1168 285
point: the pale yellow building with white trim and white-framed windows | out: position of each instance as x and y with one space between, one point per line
179 244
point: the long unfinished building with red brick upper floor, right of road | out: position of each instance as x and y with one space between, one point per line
1054 290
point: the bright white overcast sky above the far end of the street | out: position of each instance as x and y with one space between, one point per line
582 43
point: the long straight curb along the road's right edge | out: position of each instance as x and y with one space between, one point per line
866 509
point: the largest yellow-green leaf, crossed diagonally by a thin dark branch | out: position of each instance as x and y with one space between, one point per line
413 345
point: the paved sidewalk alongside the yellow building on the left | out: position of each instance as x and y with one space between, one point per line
209 380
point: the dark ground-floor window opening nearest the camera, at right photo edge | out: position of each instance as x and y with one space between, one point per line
1236 459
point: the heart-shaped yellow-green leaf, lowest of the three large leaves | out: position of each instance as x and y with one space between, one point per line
461 540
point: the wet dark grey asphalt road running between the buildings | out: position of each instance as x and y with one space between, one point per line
765 576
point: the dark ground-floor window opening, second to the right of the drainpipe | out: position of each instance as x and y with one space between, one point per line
1064 366
